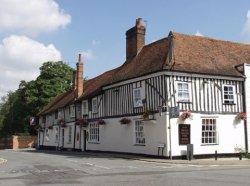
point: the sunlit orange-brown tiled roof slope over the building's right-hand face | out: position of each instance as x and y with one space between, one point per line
208 56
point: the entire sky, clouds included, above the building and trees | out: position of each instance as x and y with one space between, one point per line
97 28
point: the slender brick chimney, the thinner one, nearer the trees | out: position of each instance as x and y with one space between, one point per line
79 77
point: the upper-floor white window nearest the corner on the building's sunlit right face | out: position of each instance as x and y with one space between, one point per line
183 92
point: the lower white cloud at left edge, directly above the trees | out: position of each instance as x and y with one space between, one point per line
20 59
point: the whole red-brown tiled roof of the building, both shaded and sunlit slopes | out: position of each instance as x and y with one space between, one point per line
192 54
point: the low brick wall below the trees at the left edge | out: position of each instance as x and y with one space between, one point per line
18 142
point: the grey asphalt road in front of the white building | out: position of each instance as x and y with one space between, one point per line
29 167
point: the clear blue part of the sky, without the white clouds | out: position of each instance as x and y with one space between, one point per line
105 23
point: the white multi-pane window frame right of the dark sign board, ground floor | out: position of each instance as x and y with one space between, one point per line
209 131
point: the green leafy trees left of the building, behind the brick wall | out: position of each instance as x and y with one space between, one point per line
17 107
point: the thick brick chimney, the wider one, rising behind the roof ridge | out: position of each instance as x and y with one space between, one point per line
135 39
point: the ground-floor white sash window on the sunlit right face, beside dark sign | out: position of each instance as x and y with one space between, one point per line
209 131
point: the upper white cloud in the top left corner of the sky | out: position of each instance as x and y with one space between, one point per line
32 16
